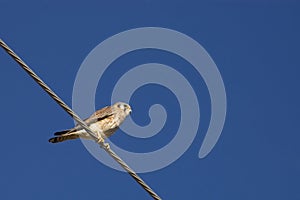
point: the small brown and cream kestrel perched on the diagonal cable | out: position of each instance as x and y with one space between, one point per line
104 122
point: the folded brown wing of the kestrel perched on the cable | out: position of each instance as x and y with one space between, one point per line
97 116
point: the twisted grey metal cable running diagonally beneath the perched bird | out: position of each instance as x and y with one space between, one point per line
58 100
